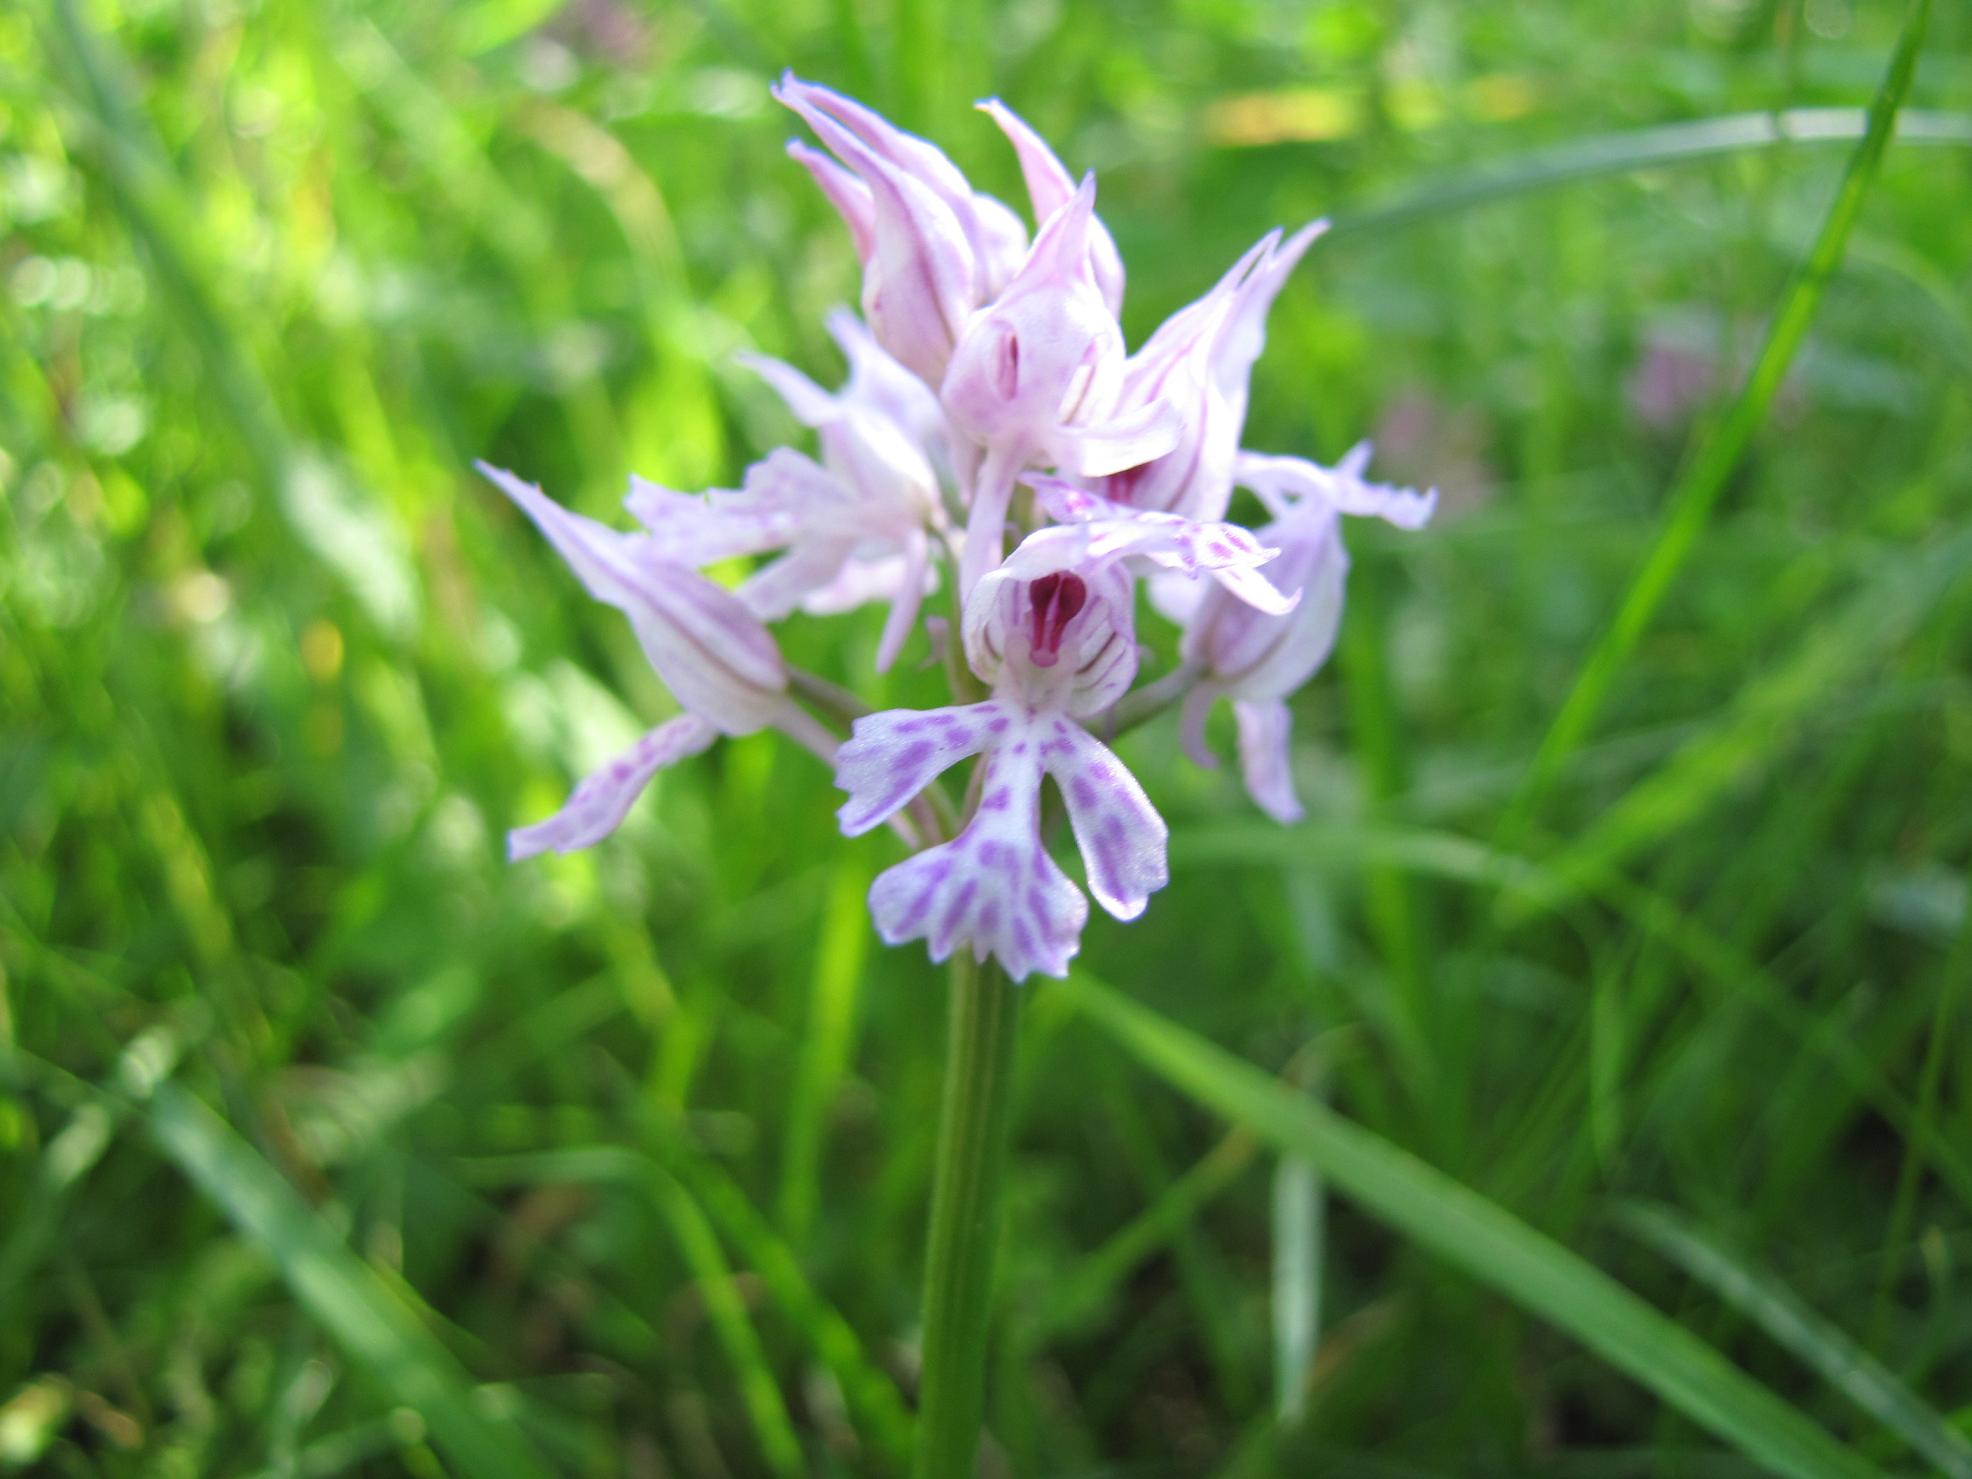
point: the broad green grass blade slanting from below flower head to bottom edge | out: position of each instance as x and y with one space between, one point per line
1484 1239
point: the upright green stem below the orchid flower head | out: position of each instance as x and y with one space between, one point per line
965 1218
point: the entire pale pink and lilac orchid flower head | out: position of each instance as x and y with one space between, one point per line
993 433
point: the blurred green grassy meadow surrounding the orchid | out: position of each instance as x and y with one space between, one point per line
334 1145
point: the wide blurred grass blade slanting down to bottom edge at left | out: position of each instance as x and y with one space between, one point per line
378 1332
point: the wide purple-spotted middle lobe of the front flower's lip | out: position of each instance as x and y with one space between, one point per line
993 888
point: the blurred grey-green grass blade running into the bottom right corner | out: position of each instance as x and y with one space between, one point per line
1815 1342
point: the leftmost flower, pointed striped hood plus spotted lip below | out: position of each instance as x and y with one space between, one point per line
705 644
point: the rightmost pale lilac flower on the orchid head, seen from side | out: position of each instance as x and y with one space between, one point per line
1259 658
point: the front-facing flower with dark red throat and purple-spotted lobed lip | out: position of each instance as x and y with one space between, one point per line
1058 646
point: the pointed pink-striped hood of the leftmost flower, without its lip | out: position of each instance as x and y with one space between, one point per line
705 644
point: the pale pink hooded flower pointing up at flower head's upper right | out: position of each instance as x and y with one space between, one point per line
1200 362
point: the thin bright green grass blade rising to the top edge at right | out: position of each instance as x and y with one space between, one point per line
1713 464
